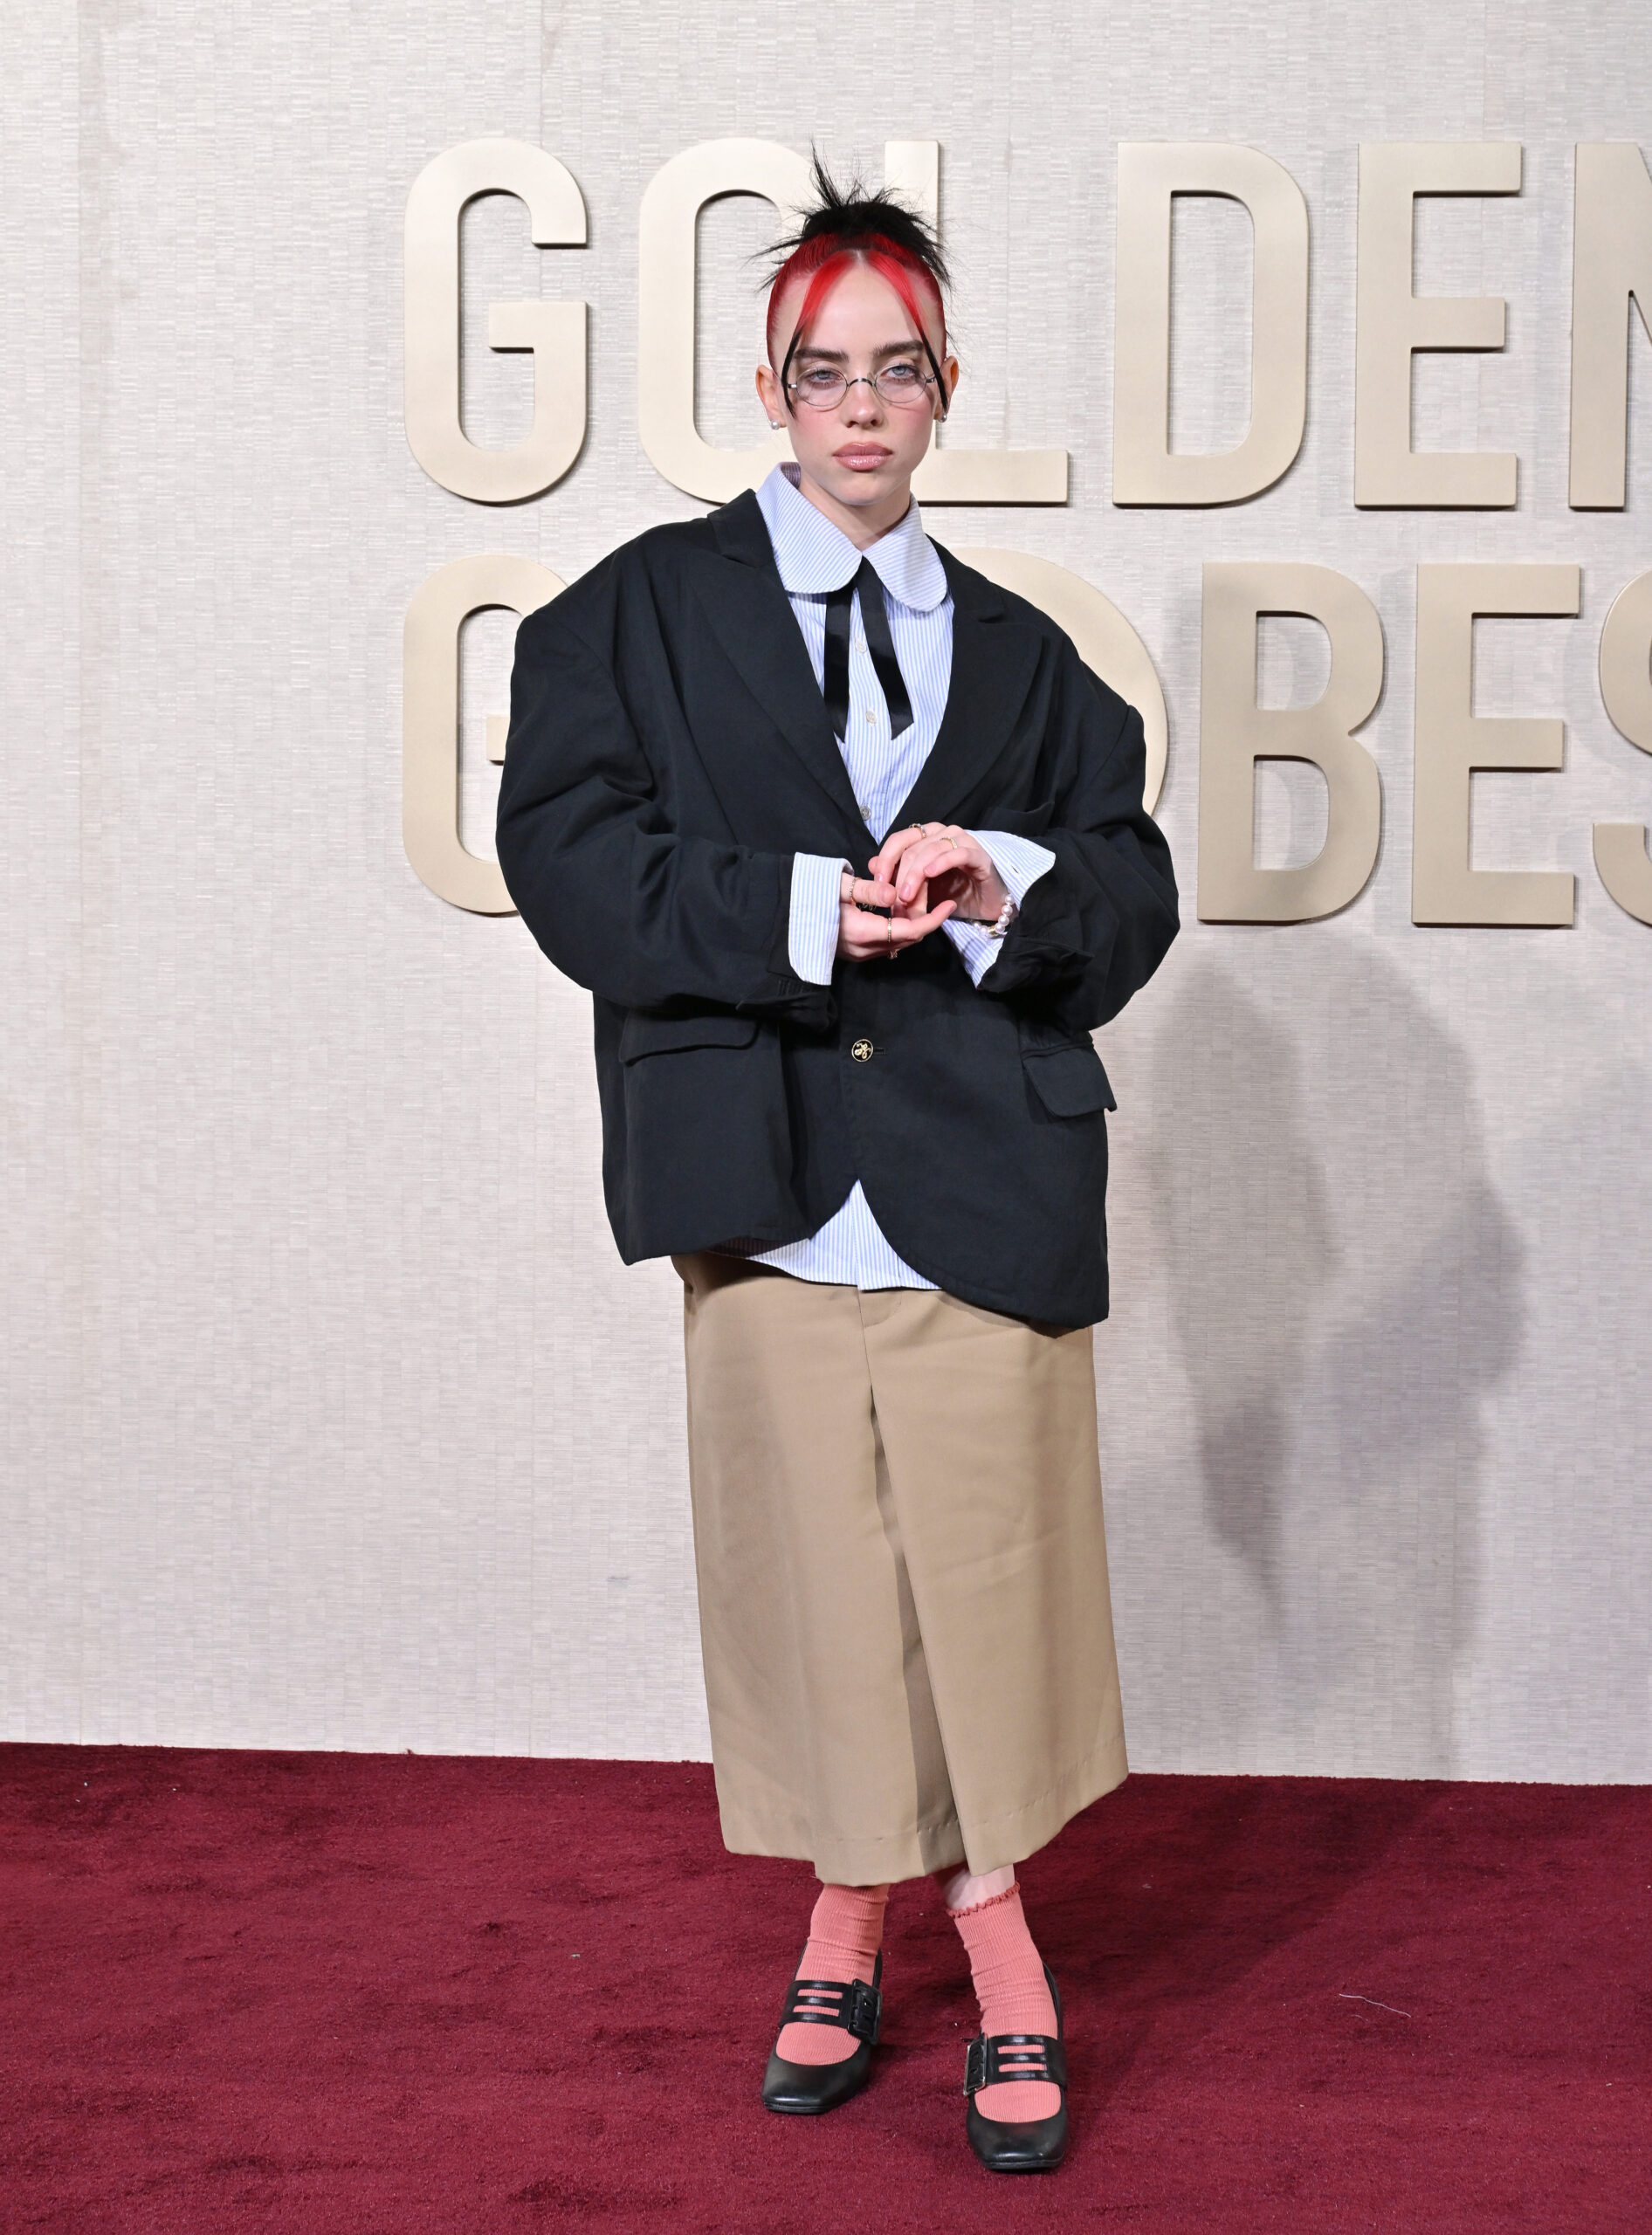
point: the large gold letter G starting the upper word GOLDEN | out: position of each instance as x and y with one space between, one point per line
556 332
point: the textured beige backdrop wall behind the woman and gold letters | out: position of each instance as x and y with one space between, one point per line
330 1414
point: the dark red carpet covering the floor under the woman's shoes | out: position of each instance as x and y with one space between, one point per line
383 1997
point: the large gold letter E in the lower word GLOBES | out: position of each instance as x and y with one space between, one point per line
1454 741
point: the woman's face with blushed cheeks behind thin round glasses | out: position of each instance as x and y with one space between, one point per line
862 453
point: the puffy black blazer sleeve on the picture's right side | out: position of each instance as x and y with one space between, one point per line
1099 924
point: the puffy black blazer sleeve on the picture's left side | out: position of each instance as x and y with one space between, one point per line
611 891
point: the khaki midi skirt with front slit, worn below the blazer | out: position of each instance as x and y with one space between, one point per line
902 1568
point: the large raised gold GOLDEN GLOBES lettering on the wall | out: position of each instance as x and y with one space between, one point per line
1611 274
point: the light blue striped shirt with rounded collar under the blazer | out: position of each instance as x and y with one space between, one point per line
815 558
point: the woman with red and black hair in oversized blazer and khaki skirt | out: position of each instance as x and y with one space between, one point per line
851 850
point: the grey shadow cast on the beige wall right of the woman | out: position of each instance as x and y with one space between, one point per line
1347 1288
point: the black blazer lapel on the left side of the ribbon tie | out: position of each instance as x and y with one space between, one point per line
754 625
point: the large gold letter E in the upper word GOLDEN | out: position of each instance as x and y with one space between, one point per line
1394 325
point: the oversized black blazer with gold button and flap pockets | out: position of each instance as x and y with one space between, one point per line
670 754
